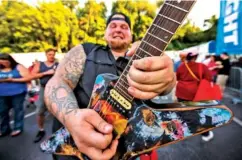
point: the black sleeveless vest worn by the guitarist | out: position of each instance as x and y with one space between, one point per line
99 60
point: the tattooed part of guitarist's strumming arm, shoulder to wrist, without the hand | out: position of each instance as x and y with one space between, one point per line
59 96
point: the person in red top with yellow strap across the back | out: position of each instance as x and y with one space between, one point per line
187 84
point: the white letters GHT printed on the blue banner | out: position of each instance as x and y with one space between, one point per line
231 21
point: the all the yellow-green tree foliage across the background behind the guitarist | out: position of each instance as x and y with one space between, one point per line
64 24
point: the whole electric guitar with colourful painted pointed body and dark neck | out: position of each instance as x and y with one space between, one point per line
142 128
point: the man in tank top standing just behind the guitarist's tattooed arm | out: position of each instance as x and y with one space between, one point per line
41 67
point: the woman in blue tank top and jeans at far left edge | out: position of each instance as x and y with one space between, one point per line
13 78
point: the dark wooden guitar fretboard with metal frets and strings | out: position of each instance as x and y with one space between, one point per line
169 18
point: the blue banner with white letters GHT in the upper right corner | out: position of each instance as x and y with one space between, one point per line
229 31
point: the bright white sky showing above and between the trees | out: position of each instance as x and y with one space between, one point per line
203 9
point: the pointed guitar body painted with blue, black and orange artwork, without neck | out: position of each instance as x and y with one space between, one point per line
141 127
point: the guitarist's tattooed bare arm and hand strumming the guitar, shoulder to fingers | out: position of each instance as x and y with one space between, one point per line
92 135
